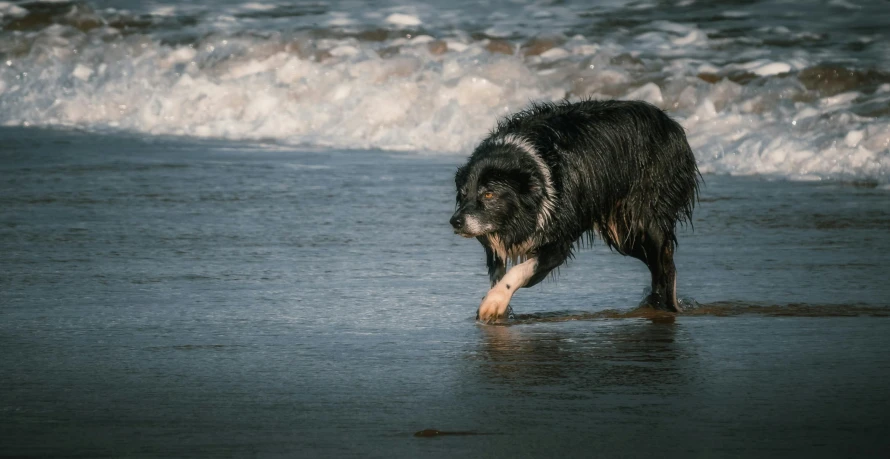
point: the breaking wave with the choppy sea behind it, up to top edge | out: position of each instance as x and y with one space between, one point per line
794 102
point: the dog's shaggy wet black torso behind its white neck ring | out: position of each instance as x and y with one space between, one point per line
614 163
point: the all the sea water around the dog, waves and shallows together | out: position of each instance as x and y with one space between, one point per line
223 232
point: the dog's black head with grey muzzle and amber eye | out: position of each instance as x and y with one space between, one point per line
500 191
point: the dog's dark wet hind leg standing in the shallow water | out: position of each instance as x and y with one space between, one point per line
657 250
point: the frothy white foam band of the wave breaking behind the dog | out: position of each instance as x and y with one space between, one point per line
441 91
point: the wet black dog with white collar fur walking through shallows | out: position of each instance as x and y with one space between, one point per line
553 173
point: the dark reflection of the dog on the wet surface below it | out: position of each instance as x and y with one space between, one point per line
585 355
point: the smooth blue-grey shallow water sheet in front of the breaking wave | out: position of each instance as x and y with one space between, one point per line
165 297
